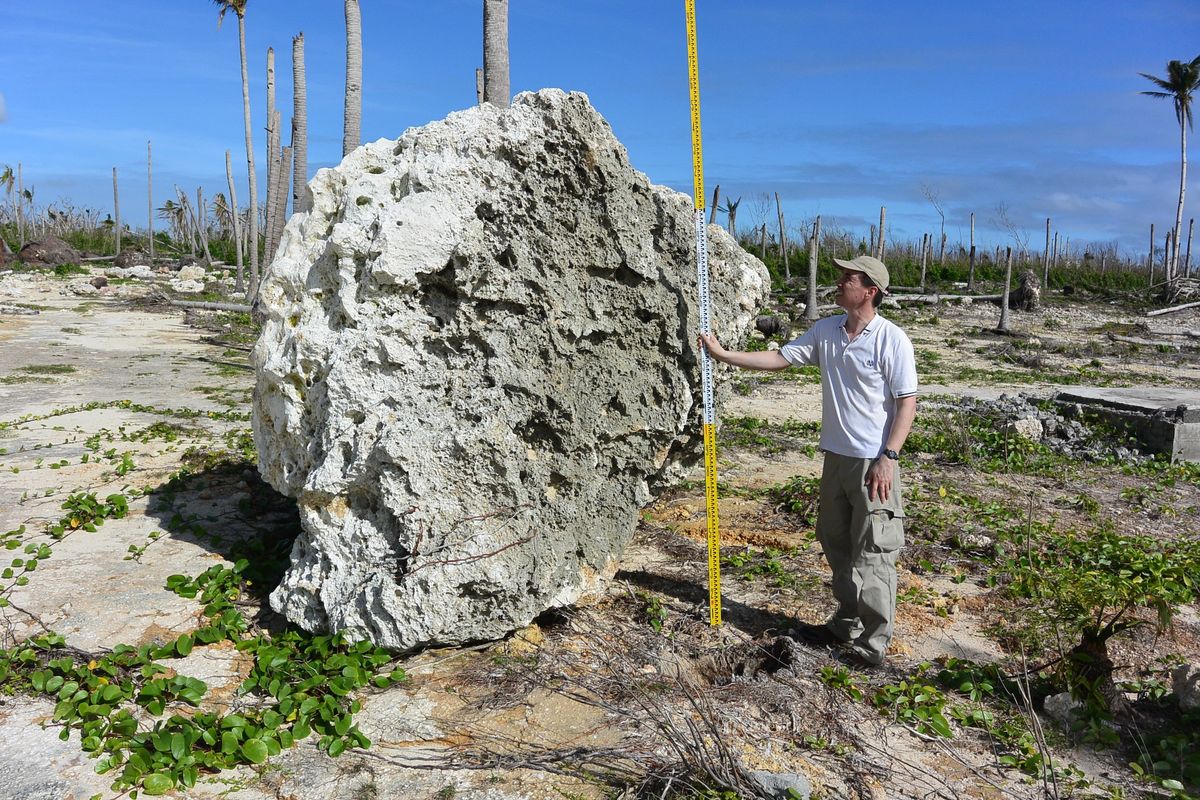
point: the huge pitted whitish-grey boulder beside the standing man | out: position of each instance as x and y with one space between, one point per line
478 365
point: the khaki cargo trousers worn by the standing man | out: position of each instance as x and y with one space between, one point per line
862 539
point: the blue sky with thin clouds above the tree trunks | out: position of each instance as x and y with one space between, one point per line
838 107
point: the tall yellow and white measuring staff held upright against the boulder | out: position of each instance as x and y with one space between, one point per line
706 362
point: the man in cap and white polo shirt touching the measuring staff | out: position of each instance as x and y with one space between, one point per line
868 405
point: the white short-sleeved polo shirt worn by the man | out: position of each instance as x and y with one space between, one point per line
860 381
